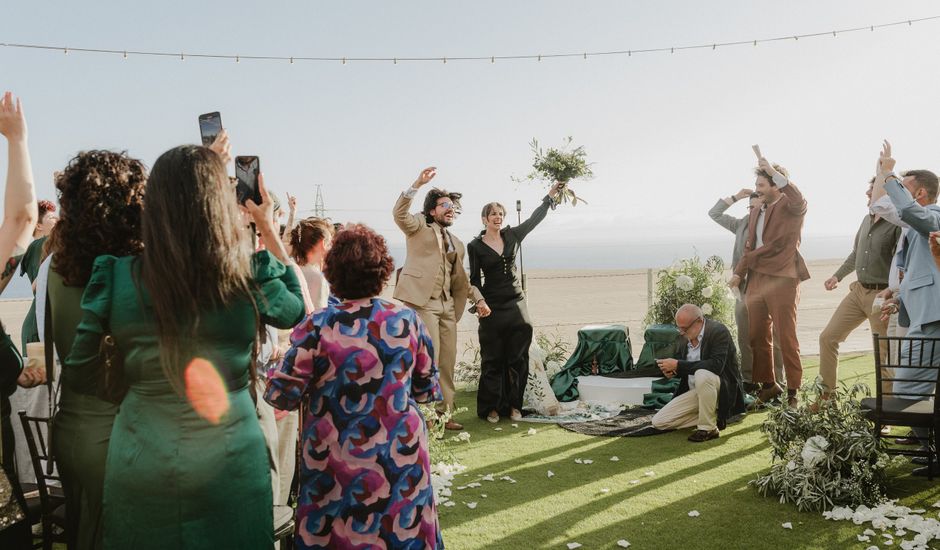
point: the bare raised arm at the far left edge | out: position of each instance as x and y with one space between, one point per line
20 211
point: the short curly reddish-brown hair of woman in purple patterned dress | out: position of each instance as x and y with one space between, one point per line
358 265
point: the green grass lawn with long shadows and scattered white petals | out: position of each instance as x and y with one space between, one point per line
710 477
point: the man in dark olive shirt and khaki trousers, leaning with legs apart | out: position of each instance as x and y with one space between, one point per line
871 260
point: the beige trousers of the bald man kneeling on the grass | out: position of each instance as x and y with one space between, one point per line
696 407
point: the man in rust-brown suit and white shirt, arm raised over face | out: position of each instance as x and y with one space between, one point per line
774 269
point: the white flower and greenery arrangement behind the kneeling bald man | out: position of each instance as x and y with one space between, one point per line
689 281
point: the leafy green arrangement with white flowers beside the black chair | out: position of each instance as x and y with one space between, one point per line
824 459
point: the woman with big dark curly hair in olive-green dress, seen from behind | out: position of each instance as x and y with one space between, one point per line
101 193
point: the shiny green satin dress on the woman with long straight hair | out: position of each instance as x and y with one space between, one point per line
174 479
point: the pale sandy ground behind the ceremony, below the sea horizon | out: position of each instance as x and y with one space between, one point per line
563 301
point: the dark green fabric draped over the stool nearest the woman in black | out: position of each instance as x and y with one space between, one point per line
607 345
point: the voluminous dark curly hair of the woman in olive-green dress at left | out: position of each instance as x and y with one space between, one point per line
101 194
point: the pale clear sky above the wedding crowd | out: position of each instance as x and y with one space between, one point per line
668 134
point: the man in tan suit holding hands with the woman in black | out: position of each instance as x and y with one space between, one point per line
433 280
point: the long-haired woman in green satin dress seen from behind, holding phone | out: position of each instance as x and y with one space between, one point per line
187 465
